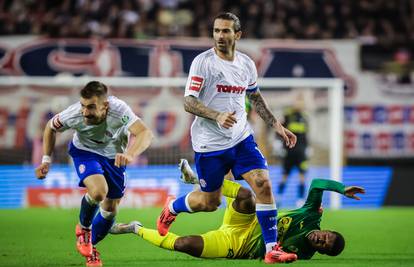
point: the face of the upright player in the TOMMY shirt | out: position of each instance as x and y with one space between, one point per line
224 35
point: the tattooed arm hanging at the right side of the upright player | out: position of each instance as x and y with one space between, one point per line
264 112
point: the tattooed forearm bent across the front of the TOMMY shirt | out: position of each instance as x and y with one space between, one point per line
196 107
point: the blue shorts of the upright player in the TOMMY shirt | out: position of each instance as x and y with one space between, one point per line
240 159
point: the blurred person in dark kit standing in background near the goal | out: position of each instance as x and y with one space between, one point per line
296 121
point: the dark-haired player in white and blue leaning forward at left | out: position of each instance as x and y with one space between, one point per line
102 125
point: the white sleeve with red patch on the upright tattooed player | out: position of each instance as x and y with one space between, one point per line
196 77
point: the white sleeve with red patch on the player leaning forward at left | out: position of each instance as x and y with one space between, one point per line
66 119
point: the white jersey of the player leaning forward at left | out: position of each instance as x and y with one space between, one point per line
107 138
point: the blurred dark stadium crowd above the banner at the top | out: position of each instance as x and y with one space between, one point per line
380 21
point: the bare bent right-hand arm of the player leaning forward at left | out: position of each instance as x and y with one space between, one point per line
143 138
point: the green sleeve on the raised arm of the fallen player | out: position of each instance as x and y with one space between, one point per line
314 199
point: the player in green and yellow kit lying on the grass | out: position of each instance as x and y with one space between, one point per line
240 236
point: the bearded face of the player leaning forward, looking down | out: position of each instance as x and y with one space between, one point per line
94 109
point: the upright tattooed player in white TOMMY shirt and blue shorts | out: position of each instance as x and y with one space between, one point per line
218 81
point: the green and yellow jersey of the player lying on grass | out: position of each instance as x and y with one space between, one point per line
293 226
